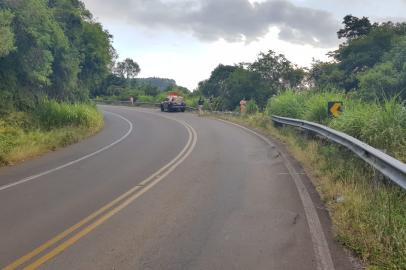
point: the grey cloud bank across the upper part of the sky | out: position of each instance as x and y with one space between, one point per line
231 20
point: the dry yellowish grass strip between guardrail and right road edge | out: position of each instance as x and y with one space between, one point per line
368 213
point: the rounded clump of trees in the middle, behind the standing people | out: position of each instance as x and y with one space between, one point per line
258 81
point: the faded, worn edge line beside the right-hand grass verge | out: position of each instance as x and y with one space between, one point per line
320 246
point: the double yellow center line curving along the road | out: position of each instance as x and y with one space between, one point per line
64 240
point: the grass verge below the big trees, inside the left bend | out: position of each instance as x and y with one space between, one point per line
51 125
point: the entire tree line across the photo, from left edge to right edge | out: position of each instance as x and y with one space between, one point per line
55 49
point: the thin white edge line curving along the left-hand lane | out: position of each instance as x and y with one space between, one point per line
27 179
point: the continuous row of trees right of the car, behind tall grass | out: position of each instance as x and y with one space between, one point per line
371 62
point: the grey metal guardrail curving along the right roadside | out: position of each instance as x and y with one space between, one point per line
387 165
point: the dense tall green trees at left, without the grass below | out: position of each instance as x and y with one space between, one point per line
50 48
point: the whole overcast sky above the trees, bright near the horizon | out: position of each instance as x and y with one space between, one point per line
186 39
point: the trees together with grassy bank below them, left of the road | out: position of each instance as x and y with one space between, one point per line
53 55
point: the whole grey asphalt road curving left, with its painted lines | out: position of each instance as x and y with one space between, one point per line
164 191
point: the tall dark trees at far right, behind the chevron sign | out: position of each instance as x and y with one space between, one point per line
371 61
